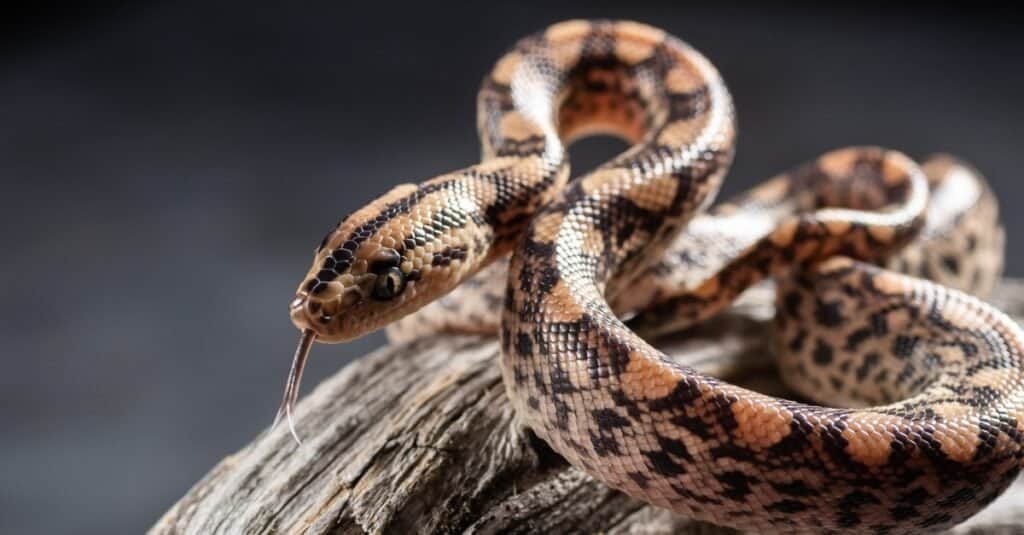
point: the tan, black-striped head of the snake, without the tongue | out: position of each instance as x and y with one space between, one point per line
383 262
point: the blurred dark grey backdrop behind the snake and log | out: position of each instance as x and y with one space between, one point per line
168 168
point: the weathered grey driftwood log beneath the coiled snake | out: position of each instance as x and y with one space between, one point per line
420 438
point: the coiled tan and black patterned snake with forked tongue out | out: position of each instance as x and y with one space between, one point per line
913 390
